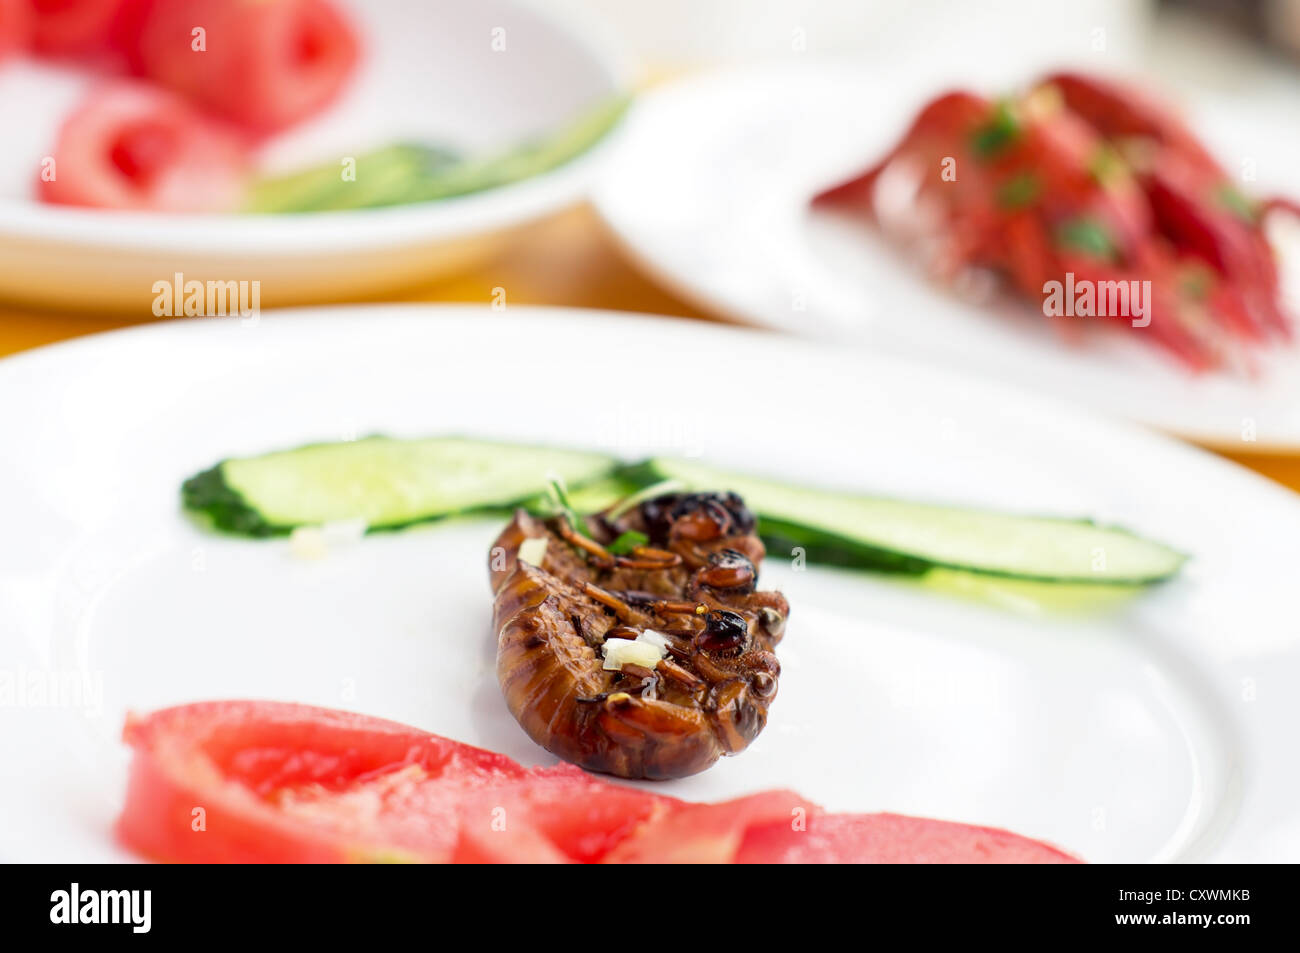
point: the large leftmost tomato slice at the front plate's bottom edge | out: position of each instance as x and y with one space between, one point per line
268 782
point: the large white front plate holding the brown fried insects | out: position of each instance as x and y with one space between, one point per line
1163 730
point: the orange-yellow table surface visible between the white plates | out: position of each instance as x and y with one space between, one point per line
569 259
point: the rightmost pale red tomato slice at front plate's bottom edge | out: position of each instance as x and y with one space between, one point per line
891 839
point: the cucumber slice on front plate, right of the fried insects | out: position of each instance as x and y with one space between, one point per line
898 536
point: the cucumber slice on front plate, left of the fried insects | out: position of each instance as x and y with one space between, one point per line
388 483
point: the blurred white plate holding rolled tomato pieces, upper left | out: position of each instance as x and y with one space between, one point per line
430 72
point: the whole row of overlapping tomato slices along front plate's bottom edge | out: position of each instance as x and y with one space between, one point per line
275 783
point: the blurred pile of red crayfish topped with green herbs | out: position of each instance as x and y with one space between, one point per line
1081 183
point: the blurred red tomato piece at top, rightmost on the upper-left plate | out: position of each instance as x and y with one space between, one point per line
262 64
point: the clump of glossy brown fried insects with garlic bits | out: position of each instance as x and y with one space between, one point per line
692 587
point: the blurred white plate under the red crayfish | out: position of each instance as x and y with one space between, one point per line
710 188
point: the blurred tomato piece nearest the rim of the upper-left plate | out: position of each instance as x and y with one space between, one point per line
133 148
